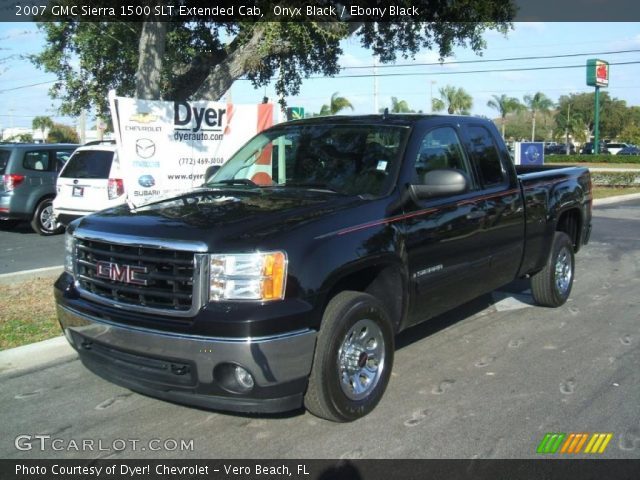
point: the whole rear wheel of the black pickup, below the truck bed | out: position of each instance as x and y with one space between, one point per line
552 285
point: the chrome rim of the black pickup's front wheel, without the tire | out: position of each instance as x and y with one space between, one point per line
361 359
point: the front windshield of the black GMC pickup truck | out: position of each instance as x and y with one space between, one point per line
342 158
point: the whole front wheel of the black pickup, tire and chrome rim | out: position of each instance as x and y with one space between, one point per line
353 358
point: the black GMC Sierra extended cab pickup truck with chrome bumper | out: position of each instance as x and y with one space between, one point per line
282 281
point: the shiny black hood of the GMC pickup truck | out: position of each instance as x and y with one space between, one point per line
220 217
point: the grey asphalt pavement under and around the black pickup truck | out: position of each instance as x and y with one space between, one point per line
487 380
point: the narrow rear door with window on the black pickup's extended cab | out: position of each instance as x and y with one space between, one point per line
502 236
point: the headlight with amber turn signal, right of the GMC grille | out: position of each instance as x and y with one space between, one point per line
248 276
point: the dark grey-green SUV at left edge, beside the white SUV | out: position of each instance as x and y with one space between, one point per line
28 174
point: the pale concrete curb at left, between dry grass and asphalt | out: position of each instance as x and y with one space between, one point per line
20 360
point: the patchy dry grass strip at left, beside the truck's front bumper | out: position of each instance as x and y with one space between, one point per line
28 313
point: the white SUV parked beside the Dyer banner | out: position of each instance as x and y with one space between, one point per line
90 181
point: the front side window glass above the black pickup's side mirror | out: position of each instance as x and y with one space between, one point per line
440 148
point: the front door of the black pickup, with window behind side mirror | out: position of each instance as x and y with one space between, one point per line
441 234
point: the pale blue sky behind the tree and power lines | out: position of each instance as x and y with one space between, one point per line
20 102
